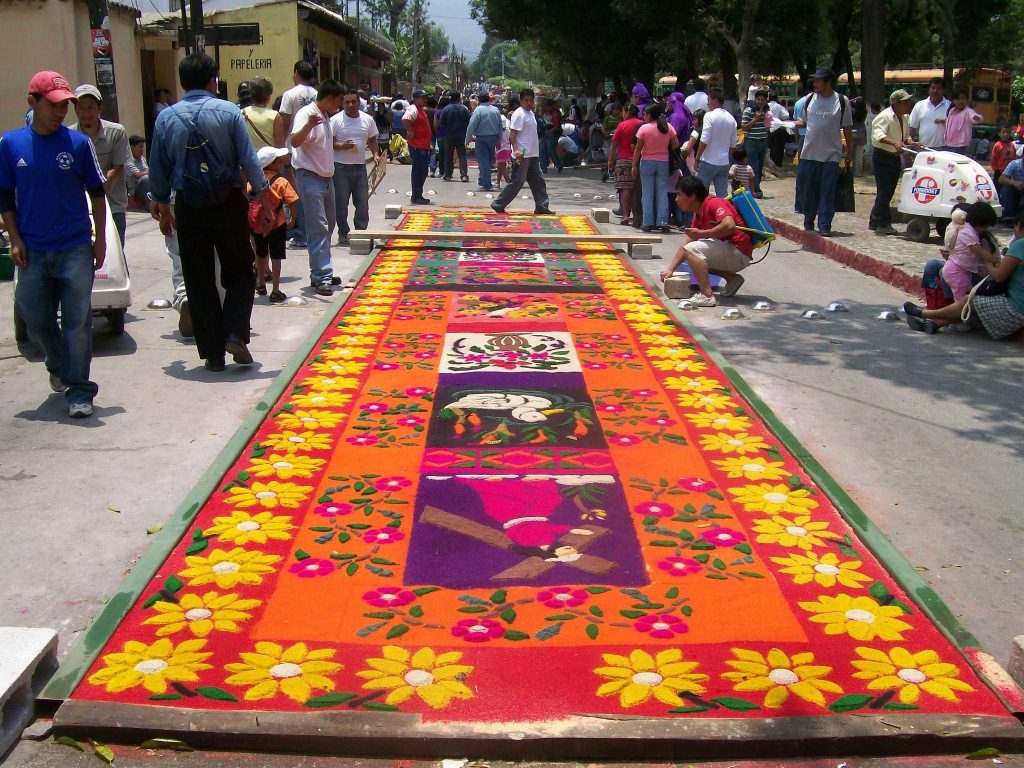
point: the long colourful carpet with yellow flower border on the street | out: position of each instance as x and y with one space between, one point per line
507 485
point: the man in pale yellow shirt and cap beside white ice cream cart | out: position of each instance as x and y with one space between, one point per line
890 134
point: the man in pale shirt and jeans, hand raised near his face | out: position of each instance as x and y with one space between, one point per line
313 159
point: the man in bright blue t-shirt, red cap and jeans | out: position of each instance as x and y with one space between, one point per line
47 172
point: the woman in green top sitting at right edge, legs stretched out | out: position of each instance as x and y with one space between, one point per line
1000 316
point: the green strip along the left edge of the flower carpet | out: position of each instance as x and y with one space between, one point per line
84 653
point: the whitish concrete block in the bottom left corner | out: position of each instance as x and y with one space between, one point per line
28 660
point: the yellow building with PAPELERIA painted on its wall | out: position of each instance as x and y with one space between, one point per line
291 30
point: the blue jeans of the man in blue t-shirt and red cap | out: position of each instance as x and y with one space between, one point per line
65 279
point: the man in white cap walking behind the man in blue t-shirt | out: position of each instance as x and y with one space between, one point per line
113 151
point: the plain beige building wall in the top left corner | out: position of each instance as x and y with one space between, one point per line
39 35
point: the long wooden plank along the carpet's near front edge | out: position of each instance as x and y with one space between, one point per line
581 737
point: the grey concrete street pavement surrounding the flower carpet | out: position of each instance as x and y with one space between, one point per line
922 432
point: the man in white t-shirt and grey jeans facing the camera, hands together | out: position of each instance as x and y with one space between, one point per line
355 133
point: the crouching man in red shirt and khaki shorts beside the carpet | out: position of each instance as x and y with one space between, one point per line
714 245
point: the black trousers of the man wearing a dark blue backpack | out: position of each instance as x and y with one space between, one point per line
202 233
